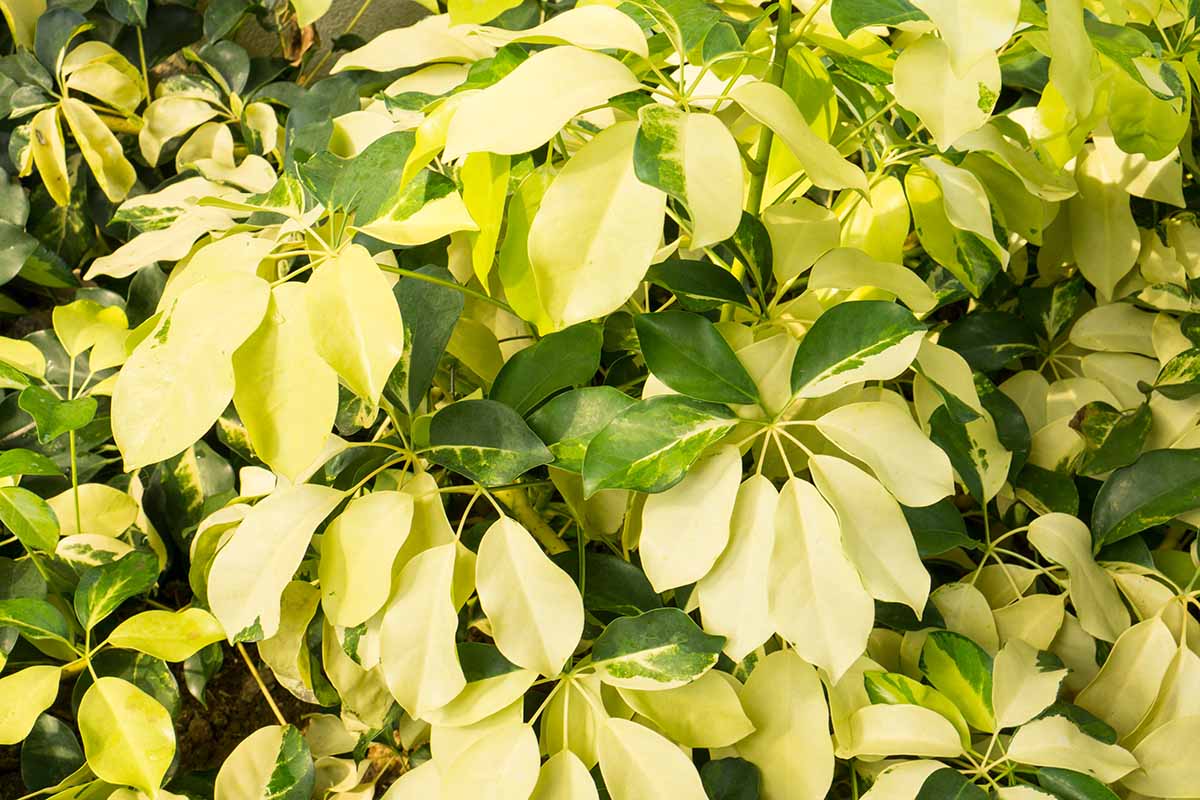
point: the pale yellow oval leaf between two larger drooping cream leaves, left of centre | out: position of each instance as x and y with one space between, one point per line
358 552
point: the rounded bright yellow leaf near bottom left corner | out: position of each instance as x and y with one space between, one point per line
128 736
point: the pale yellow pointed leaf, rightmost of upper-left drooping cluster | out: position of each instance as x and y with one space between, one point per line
355 322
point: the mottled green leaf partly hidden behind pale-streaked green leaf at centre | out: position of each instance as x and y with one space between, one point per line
569 423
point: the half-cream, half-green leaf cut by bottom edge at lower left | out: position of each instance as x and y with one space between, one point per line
273 762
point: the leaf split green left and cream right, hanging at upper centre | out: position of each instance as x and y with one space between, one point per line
694 159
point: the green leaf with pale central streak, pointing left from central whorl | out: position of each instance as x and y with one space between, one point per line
650 447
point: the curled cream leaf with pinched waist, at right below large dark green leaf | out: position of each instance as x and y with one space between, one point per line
1067 542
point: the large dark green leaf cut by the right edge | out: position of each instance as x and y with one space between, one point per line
1156 489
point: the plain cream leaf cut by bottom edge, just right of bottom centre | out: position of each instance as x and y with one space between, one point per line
639 763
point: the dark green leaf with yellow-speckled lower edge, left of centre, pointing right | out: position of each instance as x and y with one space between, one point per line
485 441
